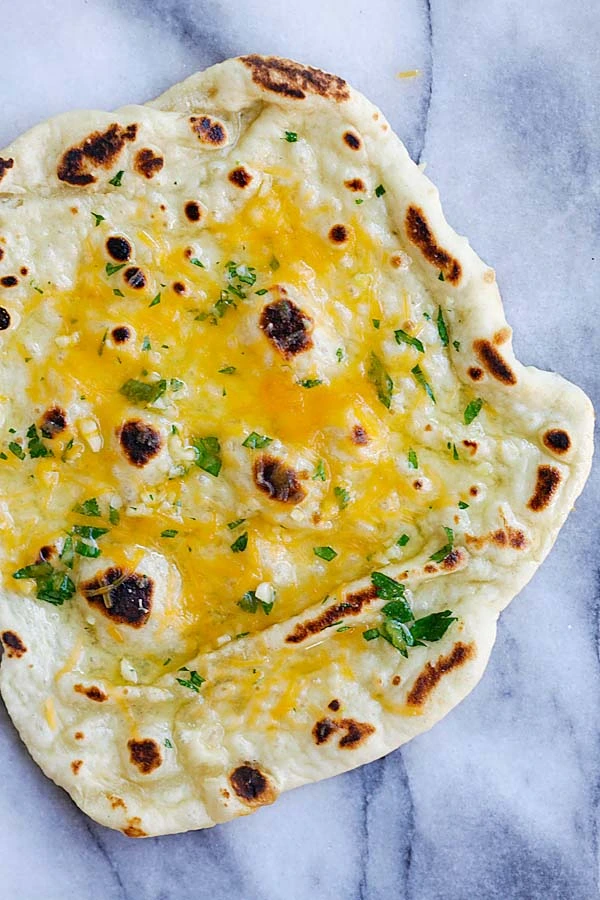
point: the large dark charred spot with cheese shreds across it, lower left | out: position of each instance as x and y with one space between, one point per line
129 602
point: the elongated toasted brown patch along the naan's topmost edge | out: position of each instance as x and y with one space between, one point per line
291 79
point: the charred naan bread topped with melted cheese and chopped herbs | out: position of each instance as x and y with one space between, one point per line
245 365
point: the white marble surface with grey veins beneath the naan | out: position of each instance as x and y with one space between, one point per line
500 800
